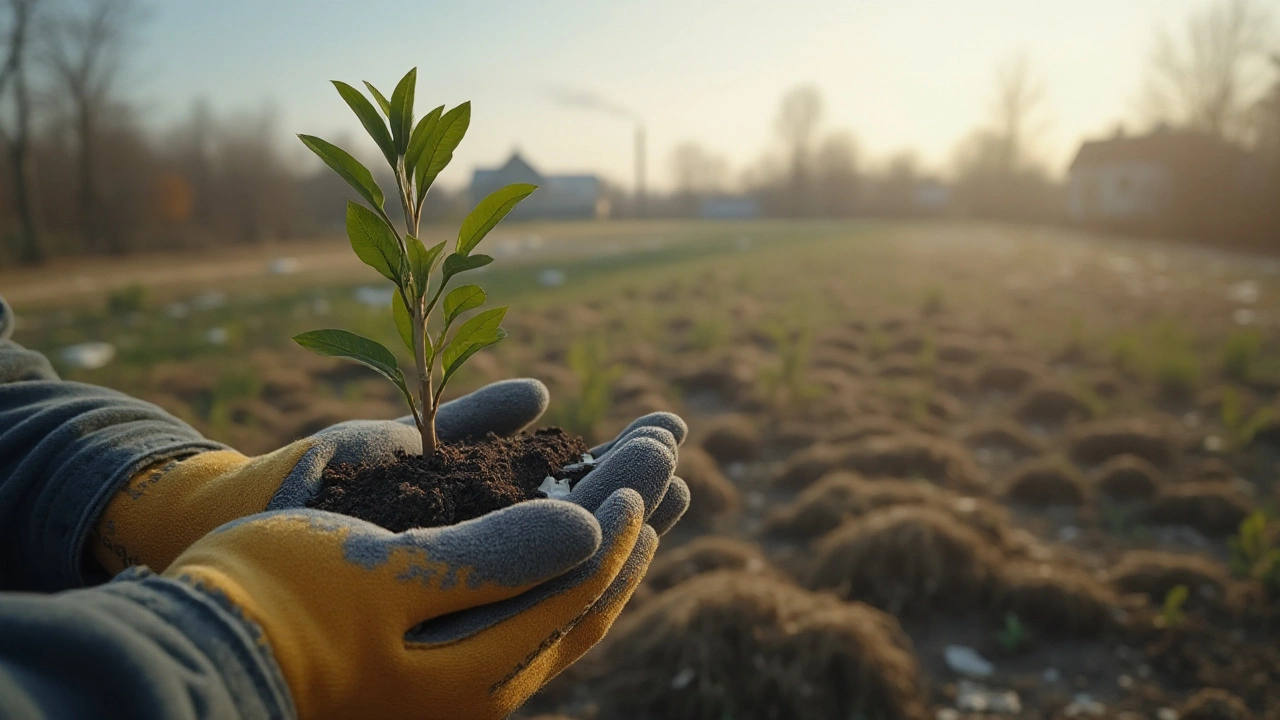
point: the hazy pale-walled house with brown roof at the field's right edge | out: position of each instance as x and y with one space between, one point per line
1155 183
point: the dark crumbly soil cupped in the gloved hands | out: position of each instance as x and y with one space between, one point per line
459 482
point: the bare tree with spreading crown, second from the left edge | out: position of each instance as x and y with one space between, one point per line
85 54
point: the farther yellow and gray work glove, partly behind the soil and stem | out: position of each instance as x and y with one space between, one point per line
166 508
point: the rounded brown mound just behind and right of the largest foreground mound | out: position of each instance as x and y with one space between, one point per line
907 560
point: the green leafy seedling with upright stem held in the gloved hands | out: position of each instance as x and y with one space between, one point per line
417 153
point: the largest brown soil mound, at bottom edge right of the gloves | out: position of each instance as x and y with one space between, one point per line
726 645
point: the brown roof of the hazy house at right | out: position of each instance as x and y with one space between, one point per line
1163 145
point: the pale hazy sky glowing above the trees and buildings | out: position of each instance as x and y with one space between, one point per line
898 74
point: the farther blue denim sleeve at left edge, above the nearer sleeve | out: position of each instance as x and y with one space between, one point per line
65 450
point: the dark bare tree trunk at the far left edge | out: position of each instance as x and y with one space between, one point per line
17 139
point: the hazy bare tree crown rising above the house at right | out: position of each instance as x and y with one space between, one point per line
1208 78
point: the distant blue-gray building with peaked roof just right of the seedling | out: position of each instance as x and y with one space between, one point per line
559 198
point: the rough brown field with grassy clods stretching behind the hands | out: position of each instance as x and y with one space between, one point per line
938 471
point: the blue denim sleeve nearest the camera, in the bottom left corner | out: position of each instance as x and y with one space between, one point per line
141 648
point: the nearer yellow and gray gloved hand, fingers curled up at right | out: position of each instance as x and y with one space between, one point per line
459 622
